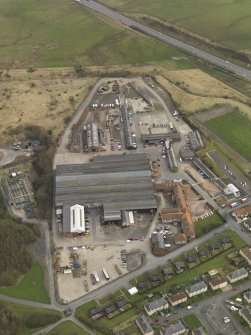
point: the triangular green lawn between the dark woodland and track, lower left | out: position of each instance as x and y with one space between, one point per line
30 287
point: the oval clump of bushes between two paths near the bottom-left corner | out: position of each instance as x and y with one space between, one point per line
35 320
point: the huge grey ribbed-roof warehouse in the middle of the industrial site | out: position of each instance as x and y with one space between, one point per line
115 183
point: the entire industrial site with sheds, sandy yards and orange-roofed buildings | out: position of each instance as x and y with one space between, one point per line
118 194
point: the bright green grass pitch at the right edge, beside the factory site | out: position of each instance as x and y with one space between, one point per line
235 130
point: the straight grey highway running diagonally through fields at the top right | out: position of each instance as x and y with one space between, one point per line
242 72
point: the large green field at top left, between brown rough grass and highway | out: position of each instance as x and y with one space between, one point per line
63 33
